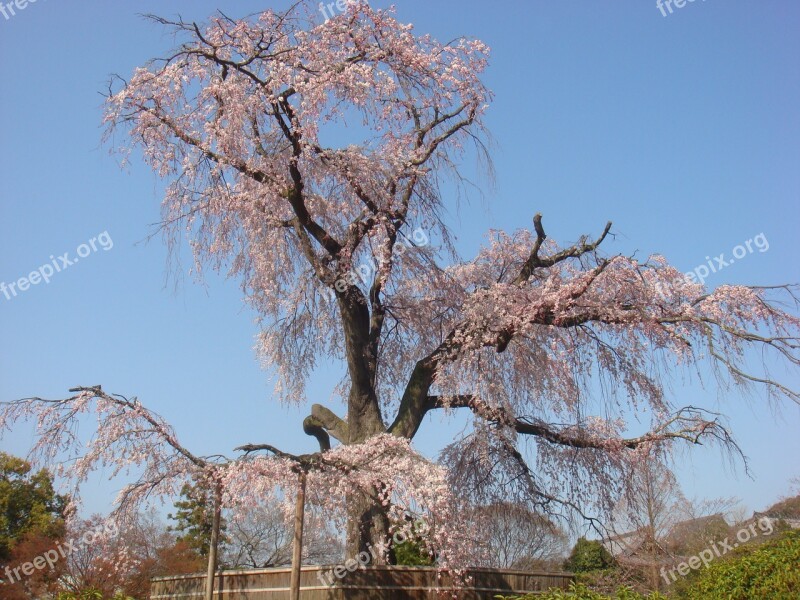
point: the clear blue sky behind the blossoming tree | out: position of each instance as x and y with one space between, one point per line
684 130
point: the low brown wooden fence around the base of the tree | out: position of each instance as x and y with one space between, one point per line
371 583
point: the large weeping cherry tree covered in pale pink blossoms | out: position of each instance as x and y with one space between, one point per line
300 157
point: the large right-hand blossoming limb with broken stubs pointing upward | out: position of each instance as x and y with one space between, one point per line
620 310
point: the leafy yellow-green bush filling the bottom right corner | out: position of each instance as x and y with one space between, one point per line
770 570
